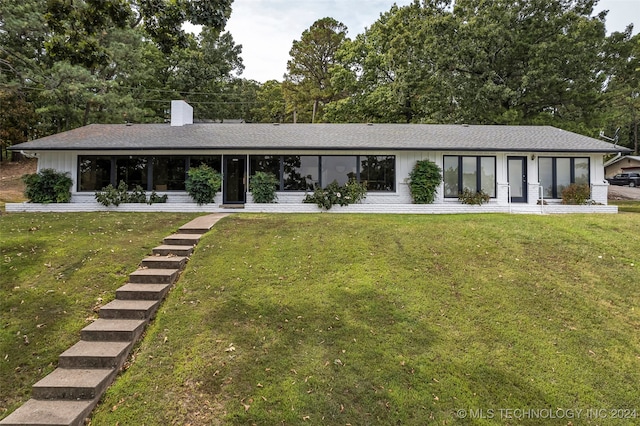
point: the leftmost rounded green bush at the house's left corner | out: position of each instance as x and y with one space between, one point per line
48 186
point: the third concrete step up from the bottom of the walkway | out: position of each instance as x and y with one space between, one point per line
107 355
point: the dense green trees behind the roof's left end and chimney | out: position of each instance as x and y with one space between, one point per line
80 61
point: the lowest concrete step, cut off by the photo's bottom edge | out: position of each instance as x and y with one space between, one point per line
41 412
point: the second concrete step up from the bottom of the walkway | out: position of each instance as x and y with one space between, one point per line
74 383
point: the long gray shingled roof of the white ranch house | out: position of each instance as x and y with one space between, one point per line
431 137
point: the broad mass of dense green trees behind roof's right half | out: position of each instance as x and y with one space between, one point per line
504 62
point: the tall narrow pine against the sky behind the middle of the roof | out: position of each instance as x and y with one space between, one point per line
308 81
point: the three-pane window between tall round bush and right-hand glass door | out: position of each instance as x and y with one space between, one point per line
469 172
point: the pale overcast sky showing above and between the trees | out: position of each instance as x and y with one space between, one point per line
266 29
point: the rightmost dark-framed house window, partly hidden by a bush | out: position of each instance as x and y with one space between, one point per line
557 173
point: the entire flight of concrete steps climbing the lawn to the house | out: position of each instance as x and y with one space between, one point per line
68 395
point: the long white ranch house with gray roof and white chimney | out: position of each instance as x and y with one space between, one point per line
522 168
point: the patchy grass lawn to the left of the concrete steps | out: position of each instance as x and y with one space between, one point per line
55 271
